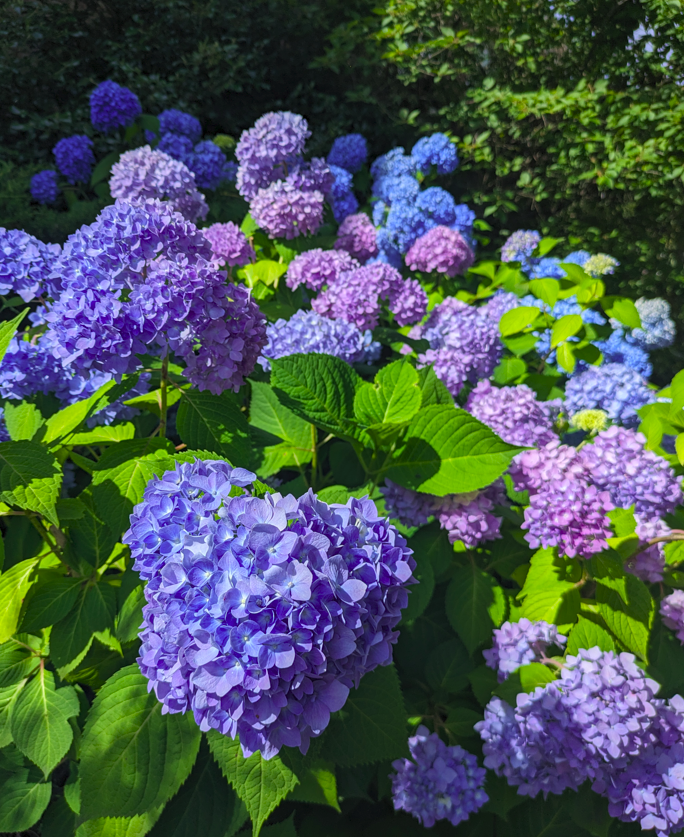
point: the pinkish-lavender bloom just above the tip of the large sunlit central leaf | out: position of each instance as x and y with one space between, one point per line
514 413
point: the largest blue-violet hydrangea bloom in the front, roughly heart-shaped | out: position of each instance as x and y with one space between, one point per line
262 614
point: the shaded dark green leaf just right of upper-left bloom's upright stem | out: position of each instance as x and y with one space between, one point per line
214 423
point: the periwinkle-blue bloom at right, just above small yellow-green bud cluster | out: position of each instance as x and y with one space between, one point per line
615 388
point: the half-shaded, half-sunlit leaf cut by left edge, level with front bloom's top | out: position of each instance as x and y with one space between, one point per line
30 477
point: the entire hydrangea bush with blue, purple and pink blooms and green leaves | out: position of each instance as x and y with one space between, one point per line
320 519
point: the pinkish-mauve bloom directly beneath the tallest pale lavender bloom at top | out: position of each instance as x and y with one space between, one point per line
285 212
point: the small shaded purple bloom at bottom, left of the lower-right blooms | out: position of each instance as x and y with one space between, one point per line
440 783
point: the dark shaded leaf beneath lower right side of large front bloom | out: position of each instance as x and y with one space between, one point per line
371 725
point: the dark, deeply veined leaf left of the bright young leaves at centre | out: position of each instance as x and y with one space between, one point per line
319 388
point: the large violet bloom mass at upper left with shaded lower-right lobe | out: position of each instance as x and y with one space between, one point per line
140 279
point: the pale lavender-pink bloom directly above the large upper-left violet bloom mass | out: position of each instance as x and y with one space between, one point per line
143 173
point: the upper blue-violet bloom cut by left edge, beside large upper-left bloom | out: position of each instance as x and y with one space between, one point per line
25 264
